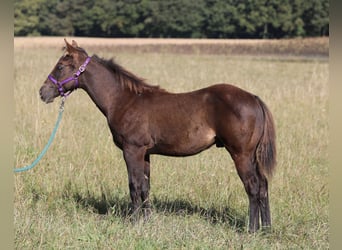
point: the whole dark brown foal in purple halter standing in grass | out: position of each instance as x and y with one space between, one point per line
147 120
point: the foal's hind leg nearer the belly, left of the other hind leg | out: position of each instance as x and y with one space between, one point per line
246 169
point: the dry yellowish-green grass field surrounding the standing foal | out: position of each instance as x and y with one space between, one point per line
77 197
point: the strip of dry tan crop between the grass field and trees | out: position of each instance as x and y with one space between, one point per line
309 47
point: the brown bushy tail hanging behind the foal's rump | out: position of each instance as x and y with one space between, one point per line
266 149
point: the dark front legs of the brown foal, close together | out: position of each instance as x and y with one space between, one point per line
138 183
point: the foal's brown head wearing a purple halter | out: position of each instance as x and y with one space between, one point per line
64 77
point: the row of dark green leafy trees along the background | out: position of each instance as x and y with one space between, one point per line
172 18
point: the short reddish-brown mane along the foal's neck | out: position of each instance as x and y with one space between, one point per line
126 78
